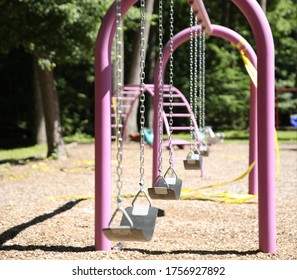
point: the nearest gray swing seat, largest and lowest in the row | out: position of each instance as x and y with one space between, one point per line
137 223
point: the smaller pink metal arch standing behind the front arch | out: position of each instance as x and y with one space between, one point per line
235 38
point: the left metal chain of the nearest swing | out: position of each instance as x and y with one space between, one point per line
119 126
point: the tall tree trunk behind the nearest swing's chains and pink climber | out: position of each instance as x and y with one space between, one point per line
134 75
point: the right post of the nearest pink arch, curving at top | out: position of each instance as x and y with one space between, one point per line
266 122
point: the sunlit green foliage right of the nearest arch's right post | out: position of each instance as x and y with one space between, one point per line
283 21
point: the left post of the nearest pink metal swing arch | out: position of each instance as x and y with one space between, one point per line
103 91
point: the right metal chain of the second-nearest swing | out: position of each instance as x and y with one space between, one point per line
171 83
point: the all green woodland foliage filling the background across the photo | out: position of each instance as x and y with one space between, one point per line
61 33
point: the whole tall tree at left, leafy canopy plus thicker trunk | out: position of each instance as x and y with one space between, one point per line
54 32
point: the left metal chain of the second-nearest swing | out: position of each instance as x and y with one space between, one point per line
160 85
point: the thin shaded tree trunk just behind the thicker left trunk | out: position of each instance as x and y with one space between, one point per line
39 125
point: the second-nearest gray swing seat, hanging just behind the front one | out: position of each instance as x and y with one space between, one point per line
166 188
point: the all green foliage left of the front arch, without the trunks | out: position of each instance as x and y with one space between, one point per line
61 35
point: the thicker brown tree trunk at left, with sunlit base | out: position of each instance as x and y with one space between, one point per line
51 107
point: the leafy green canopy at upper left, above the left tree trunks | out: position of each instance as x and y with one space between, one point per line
54 31
